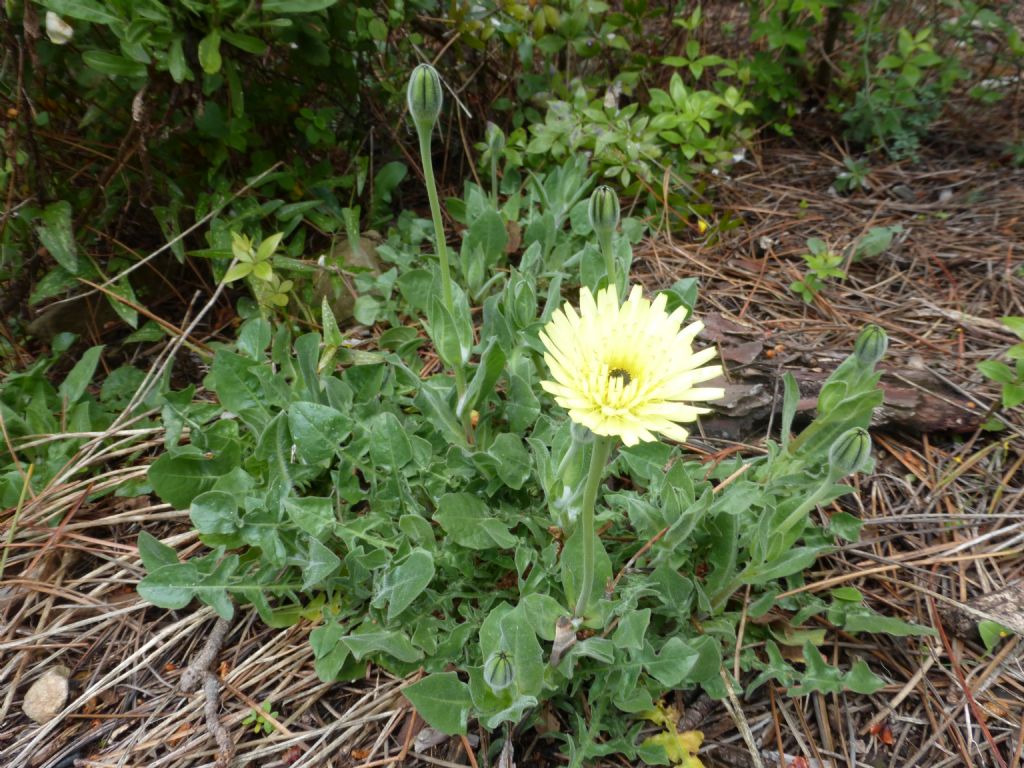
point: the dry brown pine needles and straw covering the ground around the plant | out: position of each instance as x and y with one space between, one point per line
942 519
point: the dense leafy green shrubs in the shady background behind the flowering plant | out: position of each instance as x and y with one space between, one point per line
154 114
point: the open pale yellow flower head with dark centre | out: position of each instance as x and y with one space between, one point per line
627 371
